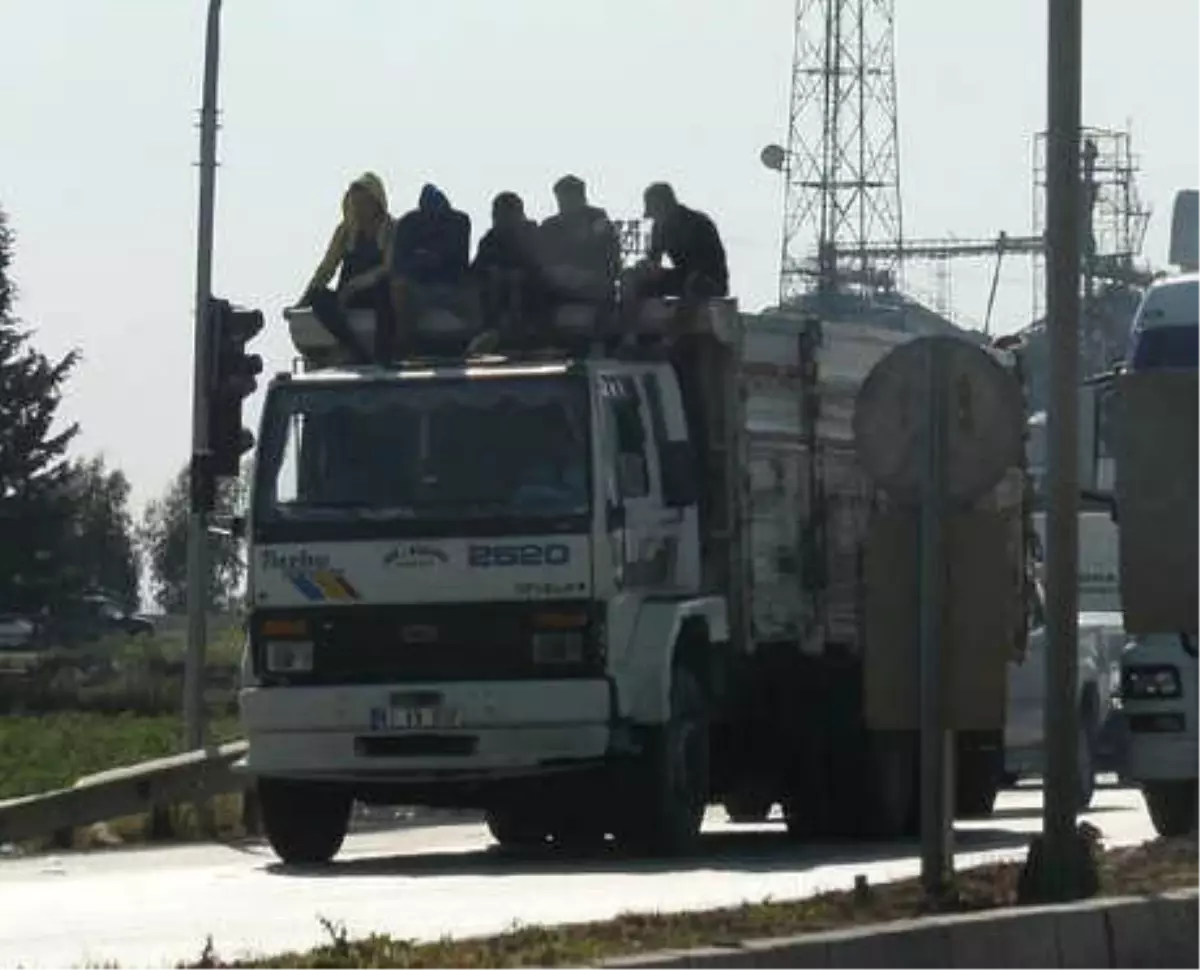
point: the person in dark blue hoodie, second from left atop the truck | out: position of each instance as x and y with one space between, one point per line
431 252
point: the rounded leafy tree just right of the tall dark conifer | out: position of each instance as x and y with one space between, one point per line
105 544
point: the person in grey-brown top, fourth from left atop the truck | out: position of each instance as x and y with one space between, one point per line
581 246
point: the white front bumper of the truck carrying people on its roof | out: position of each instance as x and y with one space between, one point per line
505 729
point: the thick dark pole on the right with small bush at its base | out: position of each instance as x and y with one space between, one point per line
1060 866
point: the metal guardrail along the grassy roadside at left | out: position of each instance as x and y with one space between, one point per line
190 777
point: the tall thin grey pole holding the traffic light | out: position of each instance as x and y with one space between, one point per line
197 524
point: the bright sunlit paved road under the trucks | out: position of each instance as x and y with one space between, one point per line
151 908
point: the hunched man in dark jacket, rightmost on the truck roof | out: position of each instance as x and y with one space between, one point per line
699 267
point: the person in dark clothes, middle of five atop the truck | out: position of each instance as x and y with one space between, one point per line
508 267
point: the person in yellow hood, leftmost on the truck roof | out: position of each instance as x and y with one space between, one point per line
359 253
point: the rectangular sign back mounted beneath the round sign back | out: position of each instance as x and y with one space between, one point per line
979 626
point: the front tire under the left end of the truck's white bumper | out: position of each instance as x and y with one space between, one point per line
305 823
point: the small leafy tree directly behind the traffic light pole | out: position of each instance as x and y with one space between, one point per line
164 536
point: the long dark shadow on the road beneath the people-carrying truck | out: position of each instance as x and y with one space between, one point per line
724 852
